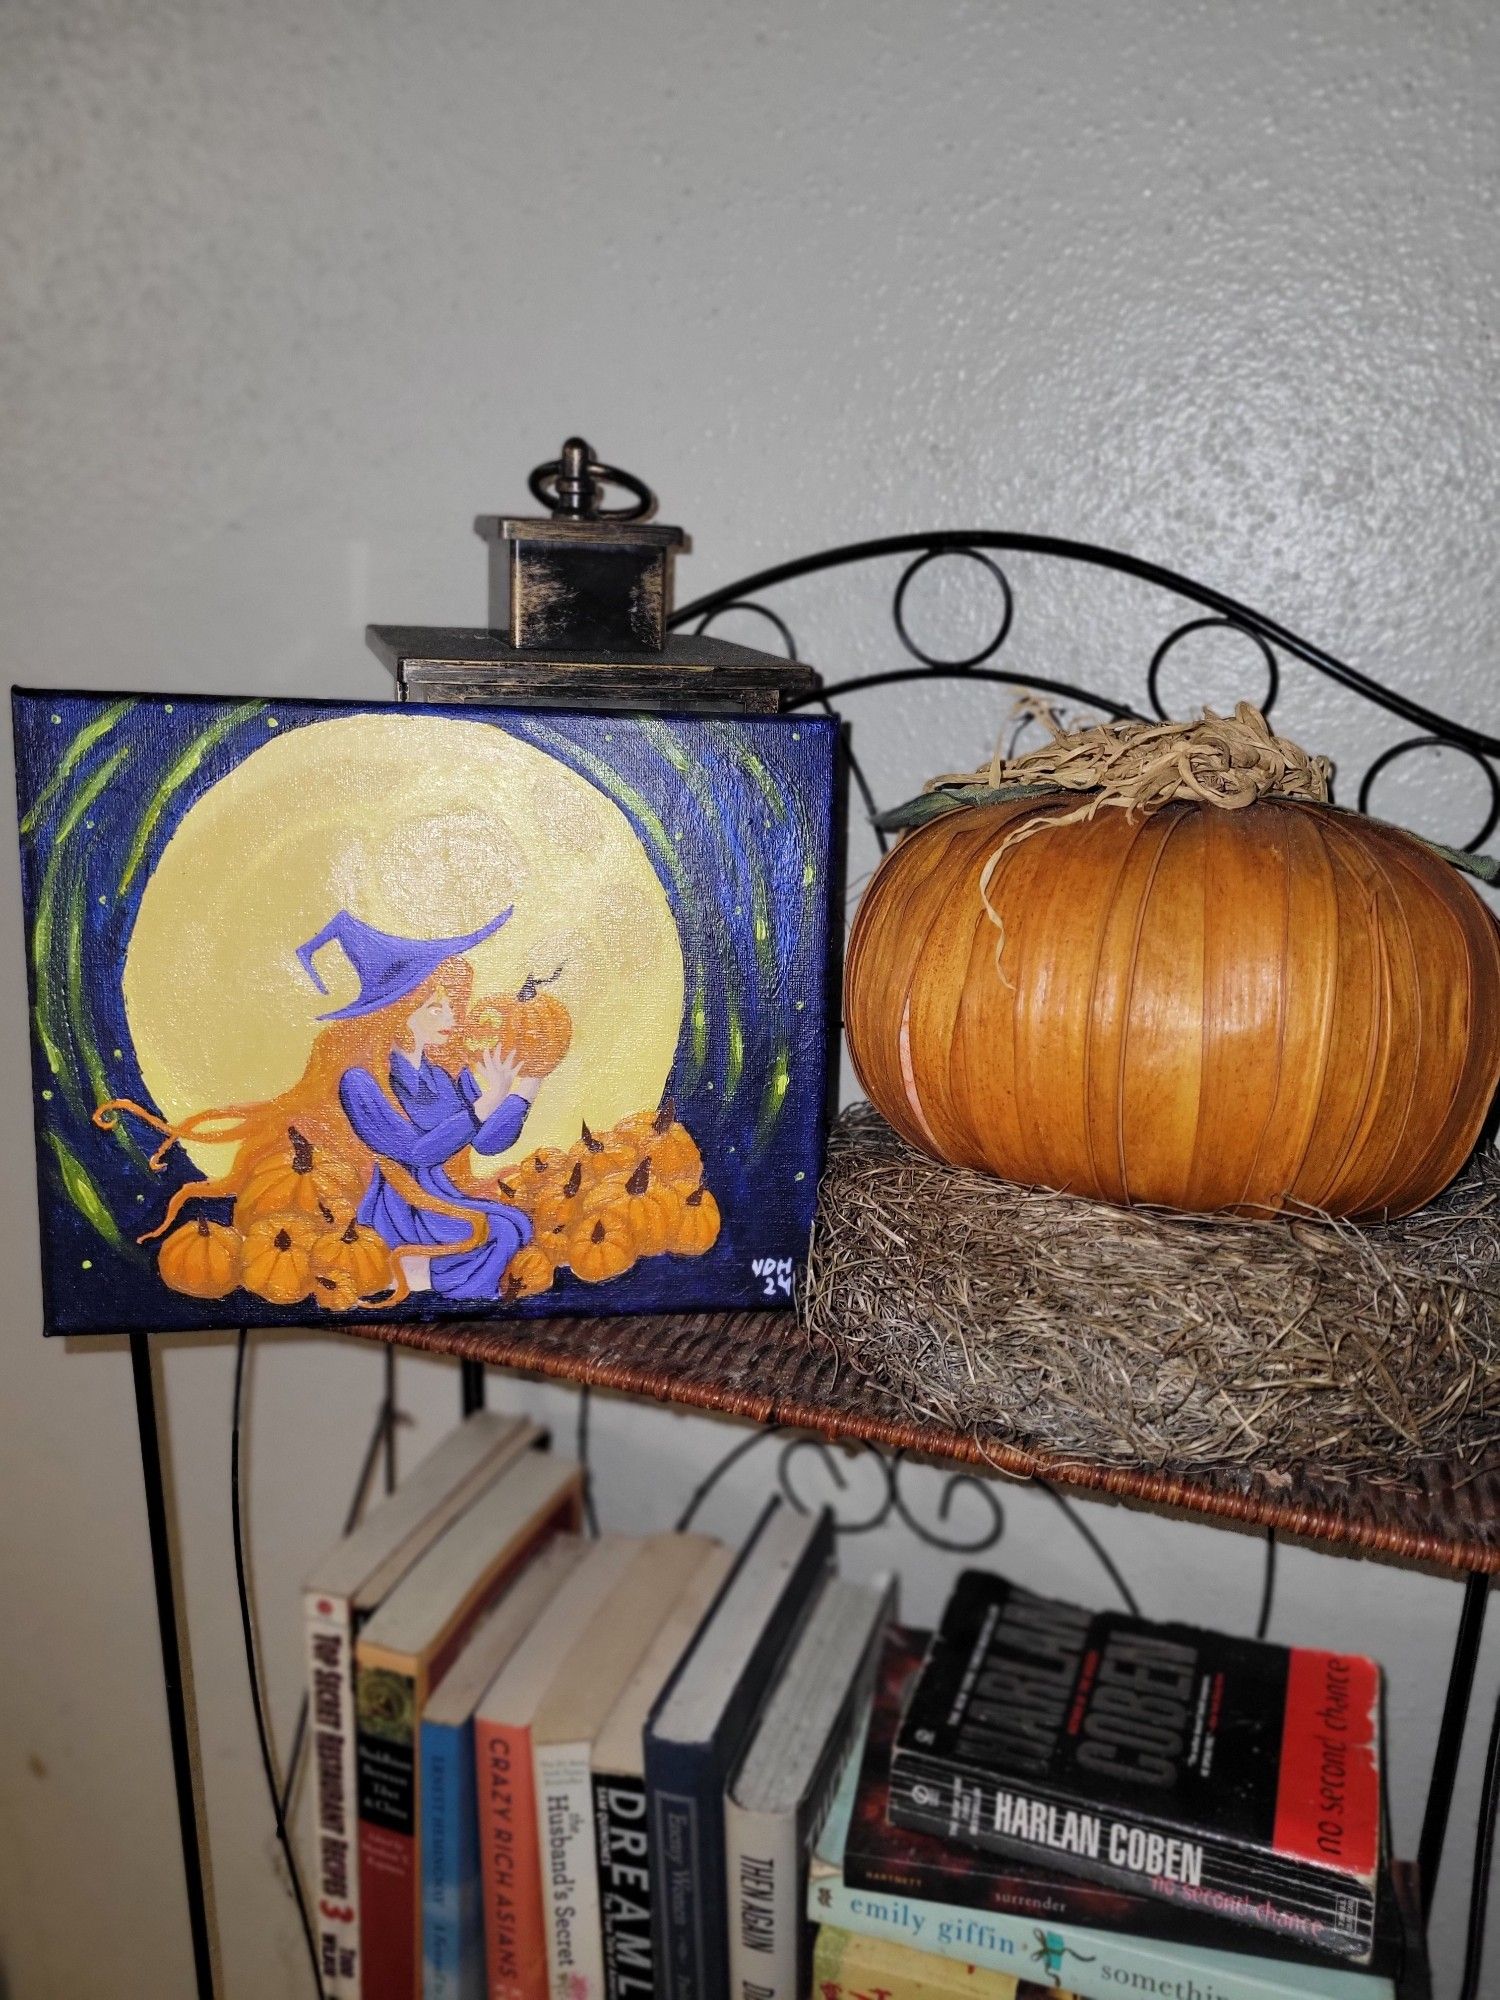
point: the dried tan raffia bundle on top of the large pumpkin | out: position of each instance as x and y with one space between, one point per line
1141 767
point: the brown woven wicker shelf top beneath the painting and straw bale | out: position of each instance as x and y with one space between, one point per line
763 1367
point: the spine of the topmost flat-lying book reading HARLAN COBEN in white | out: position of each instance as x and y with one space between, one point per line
1331 1911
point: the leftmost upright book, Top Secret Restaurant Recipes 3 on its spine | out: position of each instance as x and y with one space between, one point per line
339 1597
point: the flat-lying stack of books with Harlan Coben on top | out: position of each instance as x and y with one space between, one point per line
1113 1807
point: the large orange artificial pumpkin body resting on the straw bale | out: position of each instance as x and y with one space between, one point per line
1259 1009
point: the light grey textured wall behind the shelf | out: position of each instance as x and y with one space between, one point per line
297 287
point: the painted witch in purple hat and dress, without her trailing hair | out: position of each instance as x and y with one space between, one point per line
423 1121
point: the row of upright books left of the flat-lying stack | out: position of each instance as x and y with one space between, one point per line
593 1769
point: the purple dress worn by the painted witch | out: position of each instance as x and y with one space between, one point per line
435 1121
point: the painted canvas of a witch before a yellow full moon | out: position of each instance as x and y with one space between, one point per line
379 1011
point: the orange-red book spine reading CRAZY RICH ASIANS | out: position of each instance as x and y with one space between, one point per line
511 1865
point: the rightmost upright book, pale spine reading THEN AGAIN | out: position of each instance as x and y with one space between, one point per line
783 1789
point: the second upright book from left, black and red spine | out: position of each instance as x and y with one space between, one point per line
405 1653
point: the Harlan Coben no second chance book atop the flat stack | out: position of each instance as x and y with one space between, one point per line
1221 1775
